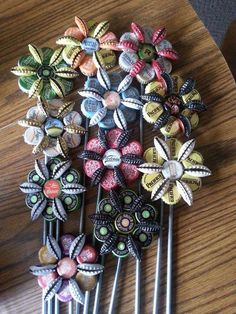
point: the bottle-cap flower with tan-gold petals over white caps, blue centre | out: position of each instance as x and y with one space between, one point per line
52 127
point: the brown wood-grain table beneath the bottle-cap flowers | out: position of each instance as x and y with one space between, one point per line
204 235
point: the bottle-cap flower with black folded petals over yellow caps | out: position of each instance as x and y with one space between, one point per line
173 109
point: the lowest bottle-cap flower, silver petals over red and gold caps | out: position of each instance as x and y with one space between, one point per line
67 269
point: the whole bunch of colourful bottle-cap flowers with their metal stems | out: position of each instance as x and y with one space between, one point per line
125 220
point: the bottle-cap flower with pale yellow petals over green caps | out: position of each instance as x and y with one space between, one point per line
44 73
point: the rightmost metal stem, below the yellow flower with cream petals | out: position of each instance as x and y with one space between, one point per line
169 262
